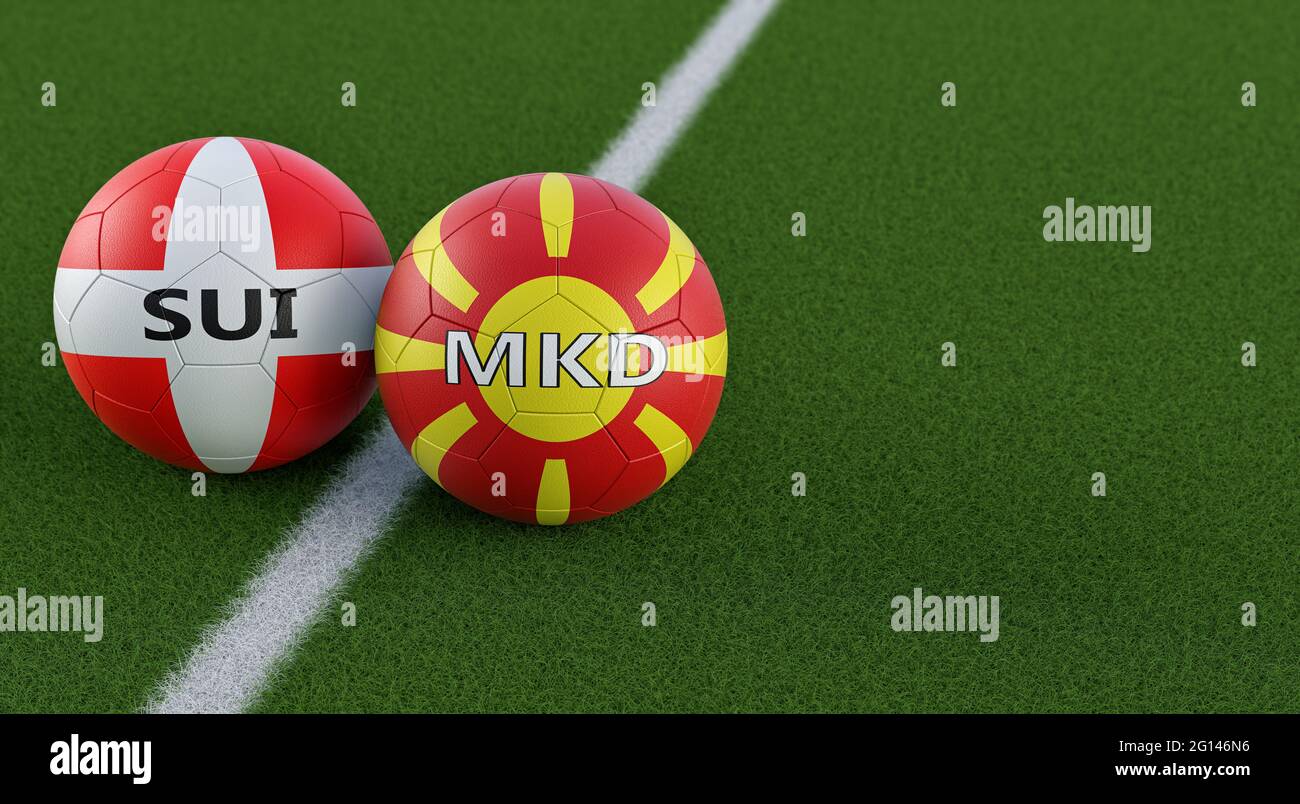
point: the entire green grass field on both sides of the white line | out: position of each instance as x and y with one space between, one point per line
924 227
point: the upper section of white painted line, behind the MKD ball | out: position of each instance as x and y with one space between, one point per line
634 157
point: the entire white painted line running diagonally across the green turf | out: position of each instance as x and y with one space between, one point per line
236 658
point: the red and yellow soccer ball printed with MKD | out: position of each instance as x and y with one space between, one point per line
551 349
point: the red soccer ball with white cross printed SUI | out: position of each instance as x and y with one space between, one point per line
215 304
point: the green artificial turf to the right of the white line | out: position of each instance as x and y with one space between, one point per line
924 227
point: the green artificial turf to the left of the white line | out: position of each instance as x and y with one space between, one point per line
449 97
